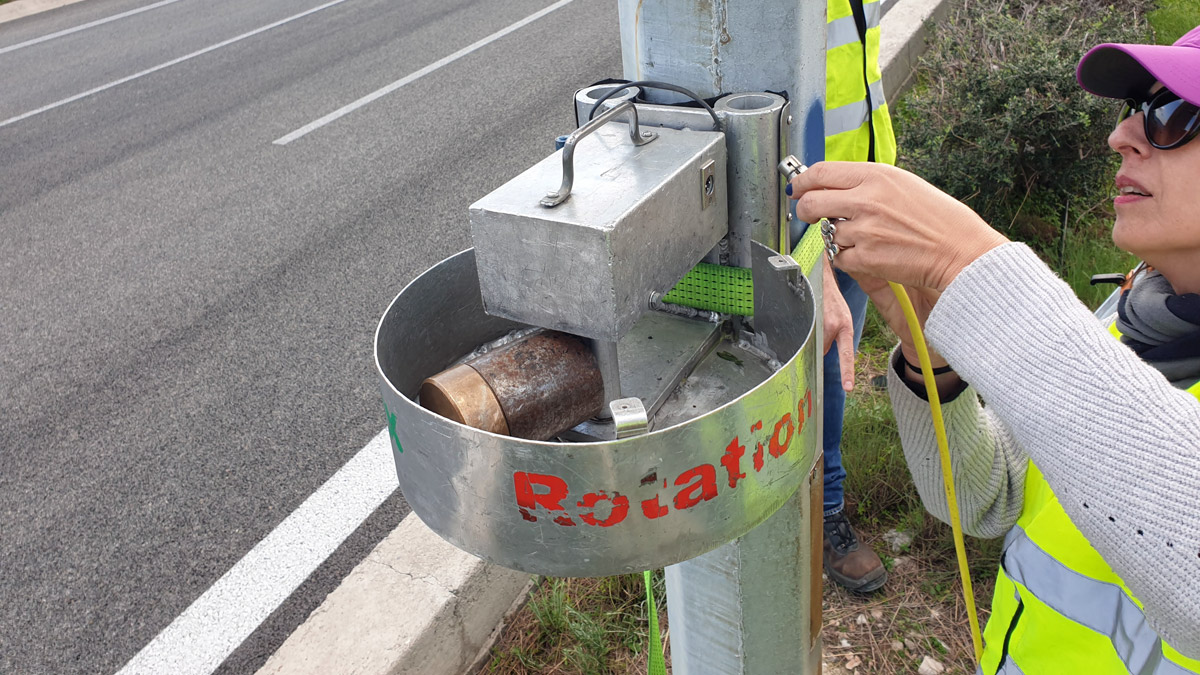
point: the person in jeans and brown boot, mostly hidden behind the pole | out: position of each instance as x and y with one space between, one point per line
857 129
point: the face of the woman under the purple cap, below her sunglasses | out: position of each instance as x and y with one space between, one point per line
1159 204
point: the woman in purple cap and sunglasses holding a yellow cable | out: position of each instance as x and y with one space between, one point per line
1087 456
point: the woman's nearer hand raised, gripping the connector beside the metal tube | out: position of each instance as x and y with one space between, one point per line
896 226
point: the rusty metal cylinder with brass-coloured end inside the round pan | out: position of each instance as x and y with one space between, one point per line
535 389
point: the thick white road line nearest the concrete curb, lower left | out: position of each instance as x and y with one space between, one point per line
201 638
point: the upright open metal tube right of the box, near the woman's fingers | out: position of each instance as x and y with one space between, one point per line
752 128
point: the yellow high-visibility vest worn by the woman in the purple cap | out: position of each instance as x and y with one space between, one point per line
1060 608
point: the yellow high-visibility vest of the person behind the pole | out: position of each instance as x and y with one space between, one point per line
857 123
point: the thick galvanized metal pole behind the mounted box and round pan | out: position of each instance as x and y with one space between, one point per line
752 607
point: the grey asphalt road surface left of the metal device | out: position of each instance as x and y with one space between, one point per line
188 309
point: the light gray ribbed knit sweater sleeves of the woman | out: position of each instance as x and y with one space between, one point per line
1103 427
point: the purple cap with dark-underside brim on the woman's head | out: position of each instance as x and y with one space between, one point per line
1125 71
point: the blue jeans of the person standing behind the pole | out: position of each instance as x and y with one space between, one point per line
836 398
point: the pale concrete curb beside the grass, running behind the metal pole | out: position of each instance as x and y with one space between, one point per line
421 606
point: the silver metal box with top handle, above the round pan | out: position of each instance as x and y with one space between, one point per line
638 218
